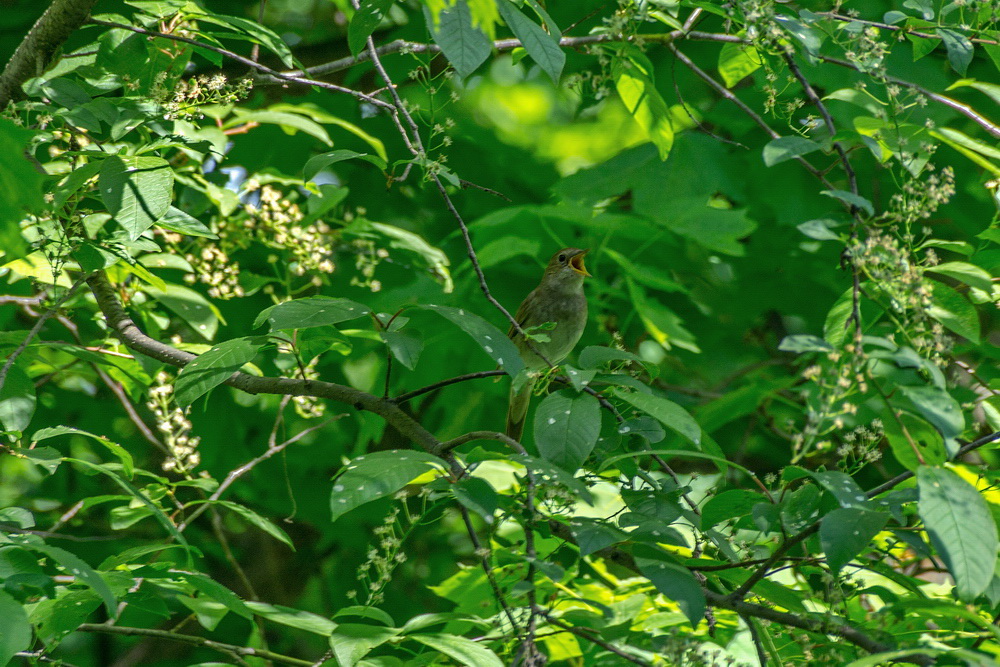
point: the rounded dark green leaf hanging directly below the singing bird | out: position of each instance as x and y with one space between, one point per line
567 425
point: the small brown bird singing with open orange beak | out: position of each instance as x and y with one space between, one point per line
558 299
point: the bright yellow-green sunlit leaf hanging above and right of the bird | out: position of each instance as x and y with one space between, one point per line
633 75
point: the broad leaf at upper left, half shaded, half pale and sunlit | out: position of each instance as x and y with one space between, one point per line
136 191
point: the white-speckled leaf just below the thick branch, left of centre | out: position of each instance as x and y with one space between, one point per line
373 476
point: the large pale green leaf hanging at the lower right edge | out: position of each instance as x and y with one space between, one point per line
961 528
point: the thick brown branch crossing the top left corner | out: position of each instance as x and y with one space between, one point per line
39 46
